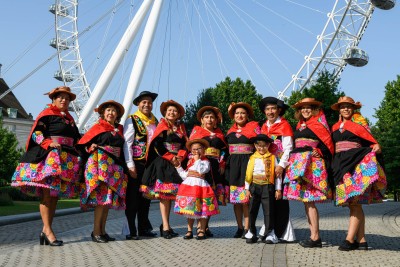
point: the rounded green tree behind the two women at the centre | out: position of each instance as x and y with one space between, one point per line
221 96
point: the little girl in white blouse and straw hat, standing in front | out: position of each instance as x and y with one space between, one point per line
195 198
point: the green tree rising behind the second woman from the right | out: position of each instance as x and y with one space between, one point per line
325 90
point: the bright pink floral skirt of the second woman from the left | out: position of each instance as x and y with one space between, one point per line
105 182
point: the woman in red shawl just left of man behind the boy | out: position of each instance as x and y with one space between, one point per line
240 149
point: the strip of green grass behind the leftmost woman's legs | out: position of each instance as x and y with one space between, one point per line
21 207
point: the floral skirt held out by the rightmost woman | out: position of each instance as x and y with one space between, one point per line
366 185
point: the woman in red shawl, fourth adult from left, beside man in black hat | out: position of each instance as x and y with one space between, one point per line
165 151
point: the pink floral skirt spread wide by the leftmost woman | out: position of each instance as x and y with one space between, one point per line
59 172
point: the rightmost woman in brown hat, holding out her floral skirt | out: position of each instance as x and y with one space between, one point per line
358 176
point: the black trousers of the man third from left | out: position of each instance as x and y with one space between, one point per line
136 204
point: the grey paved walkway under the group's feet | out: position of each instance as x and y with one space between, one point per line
19 244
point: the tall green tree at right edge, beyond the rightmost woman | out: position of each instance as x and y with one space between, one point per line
387 131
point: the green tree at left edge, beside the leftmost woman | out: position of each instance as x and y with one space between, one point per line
10 155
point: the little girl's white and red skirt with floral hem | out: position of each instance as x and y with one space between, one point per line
196 199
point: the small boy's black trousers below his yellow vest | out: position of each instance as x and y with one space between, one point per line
262 195
